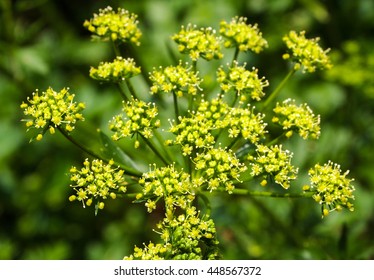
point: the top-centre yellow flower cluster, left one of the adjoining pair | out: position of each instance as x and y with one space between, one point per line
197 43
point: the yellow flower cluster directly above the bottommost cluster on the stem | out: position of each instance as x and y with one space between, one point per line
167 182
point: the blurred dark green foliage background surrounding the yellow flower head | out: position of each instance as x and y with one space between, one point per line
43 43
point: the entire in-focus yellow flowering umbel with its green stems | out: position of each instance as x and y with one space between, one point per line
213 141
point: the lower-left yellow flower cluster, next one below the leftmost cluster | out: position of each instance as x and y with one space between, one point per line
97 181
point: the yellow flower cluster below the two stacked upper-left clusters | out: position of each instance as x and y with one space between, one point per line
140 118
